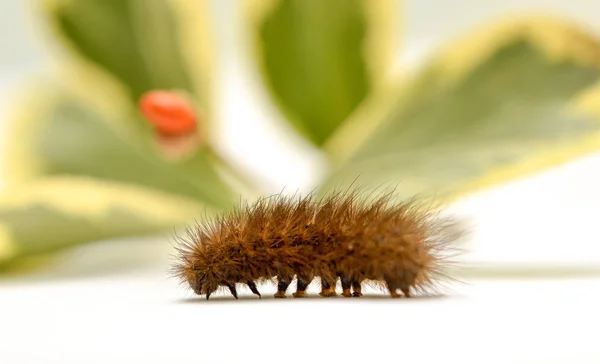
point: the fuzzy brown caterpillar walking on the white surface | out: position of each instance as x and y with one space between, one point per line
395 245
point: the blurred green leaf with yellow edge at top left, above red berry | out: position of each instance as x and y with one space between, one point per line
144 44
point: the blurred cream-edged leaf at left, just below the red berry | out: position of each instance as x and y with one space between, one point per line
58 135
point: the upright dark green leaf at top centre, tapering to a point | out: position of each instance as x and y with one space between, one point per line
320 59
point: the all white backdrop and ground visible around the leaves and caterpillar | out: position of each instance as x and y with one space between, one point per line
81 313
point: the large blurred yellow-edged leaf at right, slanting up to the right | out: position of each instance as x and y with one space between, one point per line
488 110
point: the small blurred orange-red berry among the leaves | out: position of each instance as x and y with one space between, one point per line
169 112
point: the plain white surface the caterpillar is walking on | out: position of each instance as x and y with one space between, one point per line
146 319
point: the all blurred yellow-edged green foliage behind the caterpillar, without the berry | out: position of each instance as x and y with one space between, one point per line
84 166
